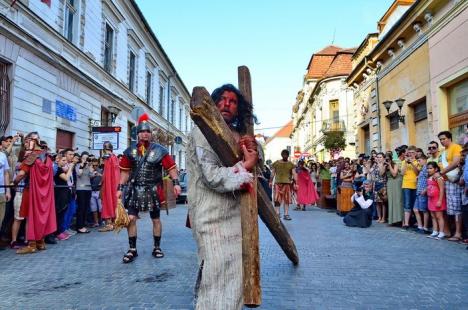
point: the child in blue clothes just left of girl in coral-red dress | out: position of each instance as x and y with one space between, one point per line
420 204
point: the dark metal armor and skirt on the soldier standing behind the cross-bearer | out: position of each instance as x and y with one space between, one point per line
142 189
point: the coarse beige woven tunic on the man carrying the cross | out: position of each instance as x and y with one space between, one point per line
215 218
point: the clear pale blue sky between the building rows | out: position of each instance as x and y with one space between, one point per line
206 40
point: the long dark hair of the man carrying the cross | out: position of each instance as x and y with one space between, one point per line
244 109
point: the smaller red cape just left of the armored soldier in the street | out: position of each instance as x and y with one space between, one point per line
110 182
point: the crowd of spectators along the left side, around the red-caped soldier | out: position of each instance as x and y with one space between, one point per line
77 179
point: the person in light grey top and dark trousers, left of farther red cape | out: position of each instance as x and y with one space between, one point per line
83 192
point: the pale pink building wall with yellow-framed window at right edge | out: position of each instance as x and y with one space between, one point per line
448 60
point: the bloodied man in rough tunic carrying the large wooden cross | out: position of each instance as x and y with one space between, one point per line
214 209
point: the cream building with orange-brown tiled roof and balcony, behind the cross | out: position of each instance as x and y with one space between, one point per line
325 104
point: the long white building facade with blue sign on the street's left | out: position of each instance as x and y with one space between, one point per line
69 65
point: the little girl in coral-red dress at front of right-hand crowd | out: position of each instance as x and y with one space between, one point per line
436 200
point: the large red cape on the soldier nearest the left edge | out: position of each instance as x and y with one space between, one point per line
41 210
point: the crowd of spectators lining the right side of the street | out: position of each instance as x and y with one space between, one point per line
425 191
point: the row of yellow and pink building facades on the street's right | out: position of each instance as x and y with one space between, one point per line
413 83
